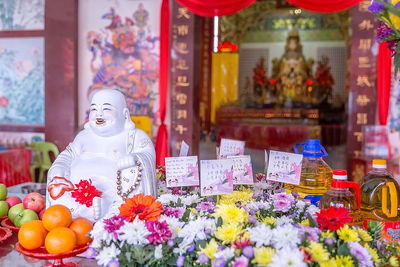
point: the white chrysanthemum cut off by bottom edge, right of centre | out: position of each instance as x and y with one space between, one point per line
288 257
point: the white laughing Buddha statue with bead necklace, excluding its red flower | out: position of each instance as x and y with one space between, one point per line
118 159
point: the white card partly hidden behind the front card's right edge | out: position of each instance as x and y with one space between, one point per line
242 169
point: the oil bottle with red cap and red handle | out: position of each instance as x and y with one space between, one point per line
339 195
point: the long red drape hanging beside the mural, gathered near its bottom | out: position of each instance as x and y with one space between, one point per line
162 134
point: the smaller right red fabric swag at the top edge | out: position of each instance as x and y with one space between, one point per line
325 6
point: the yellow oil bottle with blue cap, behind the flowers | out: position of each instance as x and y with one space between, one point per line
316 175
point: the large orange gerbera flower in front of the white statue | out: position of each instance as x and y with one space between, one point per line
145 207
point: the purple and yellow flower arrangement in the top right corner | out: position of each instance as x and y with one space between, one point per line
388 14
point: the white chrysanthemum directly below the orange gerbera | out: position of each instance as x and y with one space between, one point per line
134 233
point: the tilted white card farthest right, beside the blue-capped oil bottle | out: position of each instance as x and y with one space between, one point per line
284 167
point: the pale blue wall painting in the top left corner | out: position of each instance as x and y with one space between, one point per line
21 15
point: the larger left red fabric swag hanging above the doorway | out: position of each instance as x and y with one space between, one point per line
211 8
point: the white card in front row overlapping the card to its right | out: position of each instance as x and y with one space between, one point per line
216 177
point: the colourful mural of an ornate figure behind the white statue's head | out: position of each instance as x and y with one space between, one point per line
124 53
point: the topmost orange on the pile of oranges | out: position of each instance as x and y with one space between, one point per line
56 216
